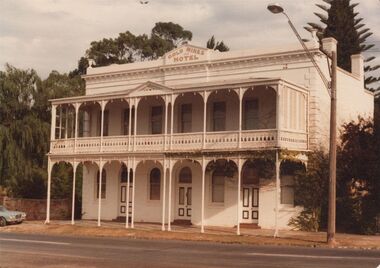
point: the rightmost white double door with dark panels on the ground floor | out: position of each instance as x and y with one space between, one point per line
250 204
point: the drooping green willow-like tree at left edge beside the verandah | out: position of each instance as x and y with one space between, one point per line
25 129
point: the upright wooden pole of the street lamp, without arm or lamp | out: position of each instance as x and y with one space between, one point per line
332 170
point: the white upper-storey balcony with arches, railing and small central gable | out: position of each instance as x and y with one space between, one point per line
238 115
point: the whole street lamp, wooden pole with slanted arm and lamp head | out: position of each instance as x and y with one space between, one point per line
331 87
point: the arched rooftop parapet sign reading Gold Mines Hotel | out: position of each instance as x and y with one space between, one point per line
186 53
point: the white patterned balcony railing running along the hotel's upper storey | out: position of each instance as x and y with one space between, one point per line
183 142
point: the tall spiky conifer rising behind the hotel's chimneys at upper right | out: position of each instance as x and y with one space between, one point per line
342 23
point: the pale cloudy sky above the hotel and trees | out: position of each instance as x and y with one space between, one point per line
51 35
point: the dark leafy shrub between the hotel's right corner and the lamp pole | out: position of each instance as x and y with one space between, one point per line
311 192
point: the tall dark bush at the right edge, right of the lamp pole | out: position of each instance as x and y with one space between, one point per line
358 184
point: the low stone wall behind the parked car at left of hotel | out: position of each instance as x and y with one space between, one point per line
60 209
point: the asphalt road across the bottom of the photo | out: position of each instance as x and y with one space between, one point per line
22 250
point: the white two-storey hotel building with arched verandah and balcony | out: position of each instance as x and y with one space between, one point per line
200 136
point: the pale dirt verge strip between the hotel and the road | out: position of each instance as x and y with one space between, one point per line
256 237
